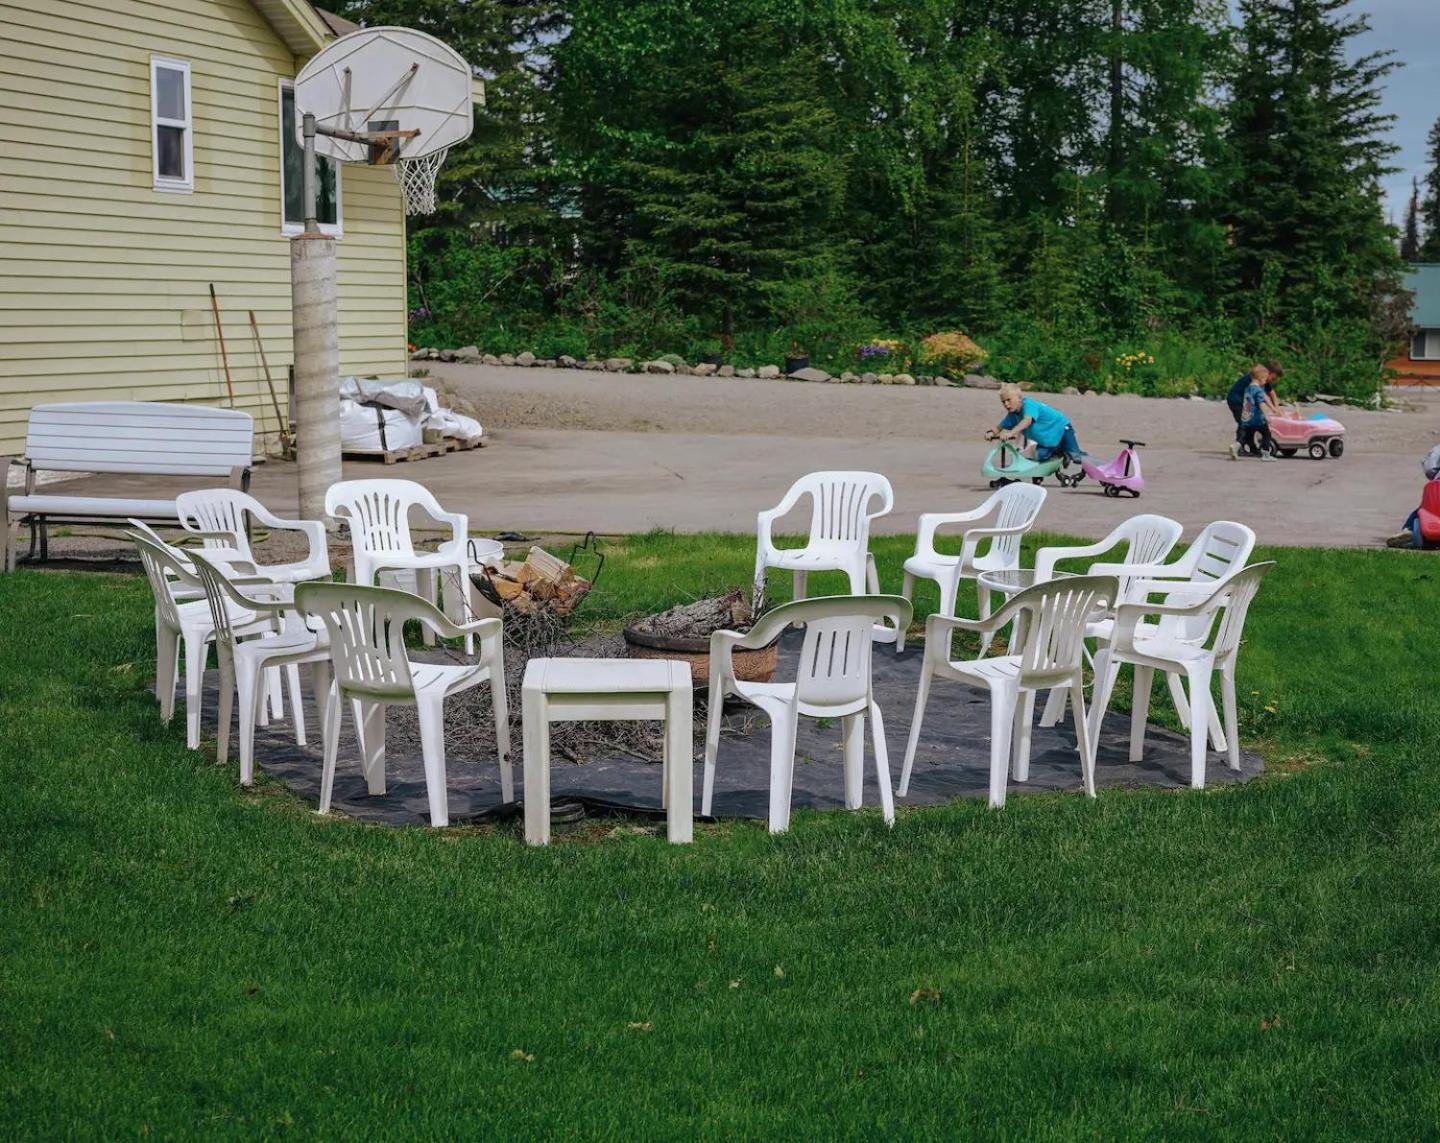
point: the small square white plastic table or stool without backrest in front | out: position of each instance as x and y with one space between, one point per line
574 690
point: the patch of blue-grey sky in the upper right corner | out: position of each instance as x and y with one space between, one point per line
1412 30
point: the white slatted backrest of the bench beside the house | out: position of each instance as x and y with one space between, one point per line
139 437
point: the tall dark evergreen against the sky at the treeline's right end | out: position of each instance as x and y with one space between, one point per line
1308 152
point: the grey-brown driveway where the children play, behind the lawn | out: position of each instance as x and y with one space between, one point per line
574 451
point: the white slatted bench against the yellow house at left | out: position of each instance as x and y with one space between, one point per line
149 438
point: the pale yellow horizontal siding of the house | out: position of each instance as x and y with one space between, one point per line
104 280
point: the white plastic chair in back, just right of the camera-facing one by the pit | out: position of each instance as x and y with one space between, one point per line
1014 507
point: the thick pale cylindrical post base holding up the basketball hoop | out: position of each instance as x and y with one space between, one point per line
318 369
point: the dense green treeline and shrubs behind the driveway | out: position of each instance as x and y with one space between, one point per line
1068 182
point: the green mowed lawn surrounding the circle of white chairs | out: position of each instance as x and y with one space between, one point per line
182 958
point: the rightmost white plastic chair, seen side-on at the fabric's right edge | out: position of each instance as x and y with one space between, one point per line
1174 650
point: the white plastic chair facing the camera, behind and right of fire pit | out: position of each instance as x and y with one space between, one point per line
839 536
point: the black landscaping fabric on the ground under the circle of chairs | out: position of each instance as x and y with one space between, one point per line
953 759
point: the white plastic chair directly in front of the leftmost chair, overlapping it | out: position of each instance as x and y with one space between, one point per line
244 663
